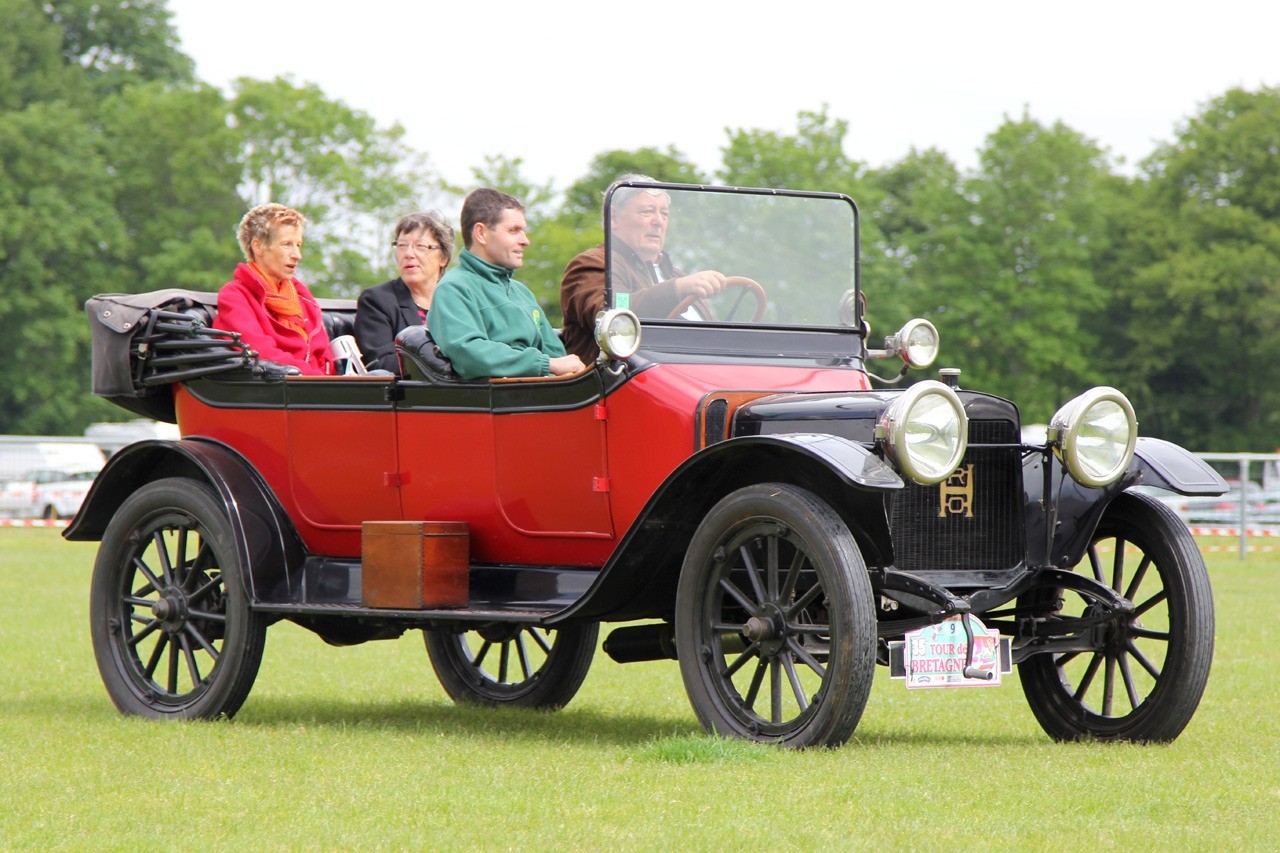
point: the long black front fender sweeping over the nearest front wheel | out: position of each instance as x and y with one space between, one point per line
639 581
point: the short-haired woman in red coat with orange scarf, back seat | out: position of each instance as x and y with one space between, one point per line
275 313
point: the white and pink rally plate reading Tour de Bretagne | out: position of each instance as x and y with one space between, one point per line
935 656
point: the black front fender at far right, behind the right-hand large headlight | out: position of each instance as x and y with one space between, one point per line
1080 509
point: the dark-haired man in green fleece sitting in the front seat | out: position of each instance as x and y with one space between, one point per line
487 323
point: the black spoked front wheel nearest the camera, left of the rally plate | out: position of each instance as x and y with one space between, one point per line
775 577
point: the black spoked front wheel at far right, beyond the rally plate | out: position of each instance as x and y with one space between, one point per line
1145 677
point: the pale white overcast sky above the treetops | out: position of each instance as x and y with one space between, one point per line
557 83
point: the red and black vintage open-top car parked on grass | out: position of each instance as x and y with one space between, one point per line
729 483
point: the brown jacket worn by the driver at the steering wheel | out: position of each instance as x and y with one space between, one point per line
583 294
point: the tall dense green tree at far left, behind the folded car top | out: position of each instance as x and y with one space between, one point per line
71 186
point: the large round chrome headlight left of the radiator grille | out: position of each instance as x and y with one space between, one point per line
926 431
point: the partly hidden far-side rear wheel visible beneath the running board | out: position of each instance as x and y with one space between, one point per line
508 664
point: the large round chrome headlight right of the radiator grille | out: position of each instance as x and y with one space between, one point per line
1095 435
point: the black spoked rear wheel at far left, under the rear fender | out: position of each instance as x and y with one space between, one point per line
172 628
